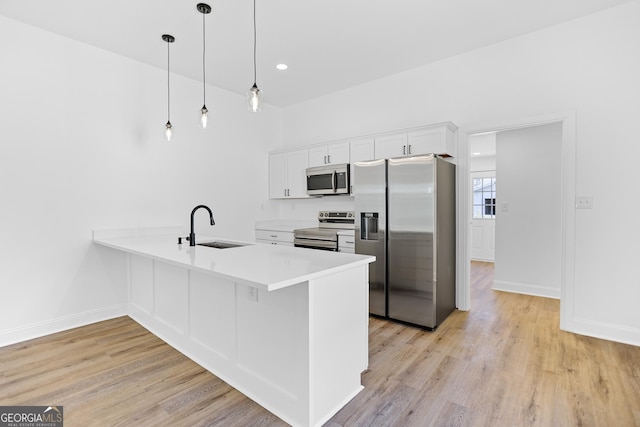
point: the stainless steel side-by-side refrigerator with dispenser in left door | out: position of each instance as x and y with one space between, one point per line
405 216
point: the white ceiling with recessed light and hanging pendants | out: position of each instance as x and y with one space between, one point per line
329 45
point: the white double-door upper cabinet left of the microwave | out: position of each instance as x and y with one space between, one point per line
287 174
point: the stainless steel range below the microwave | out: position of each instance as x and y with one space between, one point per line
325 236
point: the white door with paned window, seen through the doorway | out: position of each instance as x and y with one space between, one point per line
483 222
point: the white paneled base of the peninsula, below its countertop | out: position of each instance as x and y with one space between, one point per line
298 351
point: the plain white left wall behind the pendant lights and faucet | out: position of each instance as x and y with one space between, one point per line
83 147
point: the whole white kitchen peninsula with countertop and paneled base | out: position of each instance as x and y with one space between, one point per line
288 327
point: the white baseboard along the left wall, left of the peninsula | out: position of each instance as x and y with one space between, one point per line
36 330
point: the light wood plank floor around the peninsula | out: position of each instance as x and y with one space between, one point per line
504 363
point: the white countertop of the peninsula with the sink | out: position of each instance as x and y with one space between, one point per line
267 267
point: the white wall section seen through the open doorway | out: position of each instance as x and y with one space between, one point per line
528 232
